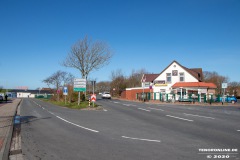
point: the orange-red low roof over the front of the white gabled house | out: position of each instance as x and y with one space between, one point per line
194 84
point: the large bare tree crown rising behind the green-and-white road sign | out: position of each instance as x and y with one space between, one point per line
87 56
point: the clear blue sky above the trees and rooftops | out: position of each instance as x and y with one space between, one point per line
35 36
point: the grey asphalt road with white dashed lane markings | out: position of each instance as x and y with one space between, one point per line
129 131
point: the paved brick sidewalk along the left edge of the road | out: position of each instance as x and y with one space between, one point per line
7 113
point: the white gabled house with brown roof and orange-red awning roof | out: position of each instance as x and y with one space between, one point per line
175 79
